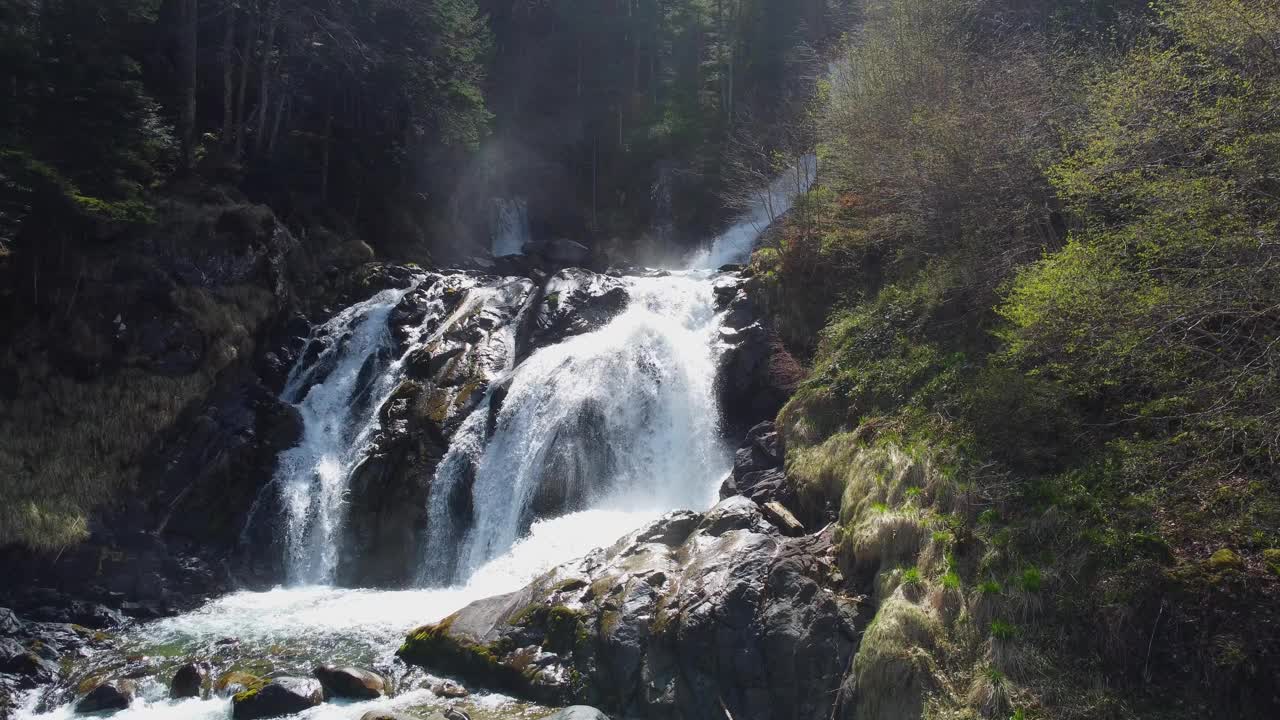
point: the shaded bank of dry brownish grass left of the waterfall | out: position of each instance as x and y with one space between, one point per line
67 446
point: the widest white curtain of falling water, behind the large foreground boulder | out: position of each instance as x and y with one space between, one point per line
620 418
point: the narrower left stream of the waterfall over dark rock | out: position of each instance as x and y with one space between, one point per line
349 371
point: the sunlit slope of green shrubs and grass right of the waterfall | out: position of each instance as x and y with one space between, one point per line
1037 285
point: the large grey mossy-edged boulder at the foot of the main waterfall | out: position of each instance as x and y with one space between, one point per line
676 619
